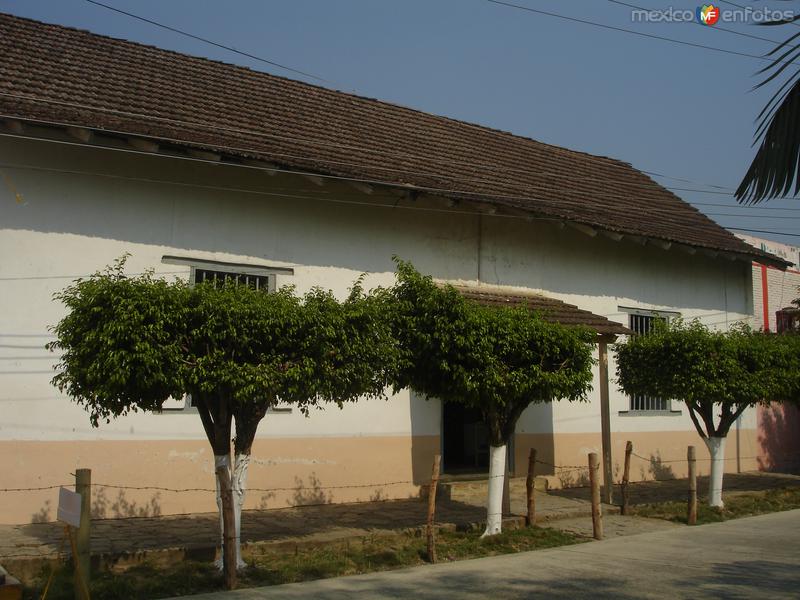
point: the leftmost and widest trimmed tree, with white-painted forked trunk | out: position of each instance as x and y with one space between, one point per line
130 343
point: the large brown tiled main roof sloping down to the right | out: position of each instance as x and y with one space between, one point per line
56 74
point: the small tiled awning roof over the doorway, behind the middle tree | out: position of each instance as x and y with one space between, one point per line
551 309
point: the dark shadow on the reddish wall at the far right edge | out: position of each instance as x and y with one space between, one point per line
779 438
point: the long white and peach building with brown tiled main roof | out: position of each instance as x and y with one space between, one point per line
109 147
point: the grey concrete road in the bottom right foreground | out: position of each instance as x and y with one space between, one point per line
757 557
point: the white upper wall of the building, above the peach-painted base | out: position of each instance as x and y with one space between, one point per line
73 223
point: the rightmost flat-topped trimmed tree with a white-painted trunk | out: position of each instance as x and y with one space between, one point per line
718 375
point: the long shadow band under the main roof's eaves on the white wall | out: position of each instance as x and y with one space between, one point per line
318 233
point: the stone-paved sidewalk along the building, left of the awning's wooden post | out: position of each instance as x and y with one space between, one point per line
24 549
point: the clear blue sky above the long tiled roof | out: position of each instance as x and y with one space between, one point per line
676 110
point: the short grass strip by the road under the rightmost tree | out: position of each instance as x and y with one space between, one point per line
745 504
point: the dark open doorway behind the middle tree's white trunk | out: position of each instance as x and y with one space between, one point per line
465 440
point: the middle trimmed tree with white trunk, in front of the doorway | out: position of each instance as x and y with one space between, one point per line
498 360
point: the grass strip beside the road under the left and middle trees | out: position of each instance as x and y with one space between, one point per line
273 568
